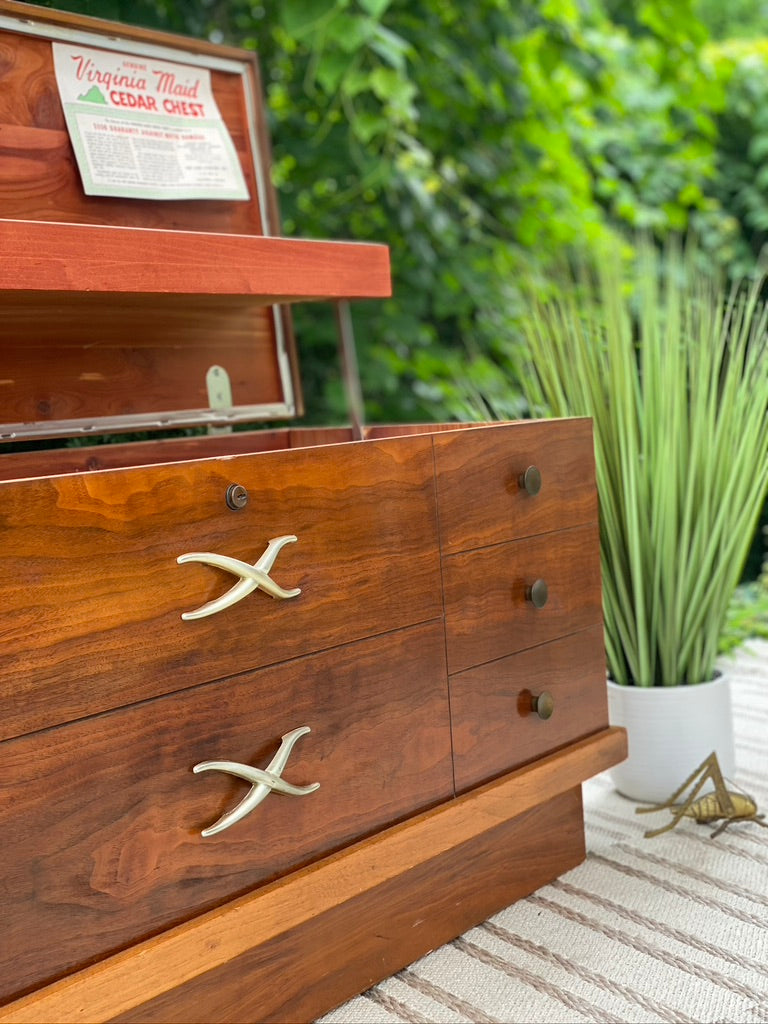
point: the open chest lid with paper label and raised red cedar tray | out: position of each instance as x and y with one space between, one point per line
144 283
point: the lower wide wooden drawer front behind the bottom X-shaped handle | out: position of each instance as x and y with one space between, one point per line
103 819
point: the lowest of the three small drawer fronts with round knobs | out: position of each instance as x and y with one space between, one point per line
494 727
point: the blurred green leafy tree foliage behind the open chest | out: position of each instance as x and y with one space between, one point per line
480 147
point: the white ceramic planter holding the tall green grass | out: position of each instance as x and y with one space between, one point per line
671 731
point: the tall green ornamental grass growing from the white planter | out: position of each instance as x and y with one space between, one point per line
673 368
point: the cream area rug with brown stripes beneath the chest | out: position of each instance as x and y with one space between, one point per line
670 929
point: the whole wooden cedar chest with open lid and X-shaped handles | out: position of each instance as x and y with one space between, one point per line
404 603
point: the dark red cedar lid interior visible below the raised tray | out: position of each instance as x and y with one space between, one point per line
87 357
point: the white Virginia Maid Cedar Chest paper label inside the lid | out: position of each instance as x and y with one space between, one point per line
143 129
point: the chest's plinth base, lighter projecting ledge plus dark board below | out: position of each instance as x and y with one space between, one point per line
298 948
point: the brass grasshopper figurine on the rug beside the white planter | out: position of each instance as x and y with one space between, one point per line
721 804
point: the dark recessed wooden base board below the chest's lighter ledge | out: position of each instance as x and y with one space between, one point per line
383 930
